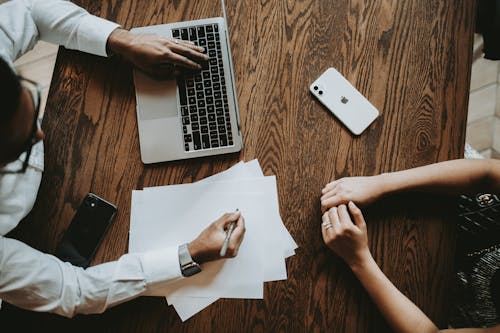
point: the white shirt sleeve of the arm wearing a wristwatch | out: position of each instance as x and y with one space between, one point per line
38 281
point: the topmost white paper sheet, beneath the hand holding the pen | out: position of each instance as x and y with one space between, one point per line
185 215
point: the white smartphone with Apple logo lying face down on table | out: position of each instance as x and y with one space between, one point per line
344 101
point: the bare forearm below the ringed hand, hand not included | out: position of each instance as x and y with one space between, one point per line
401 314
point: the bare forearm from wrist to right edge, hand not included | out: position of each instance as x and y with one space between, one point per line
451 177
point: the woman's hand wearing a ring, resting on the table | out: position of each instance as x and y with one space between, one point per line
347 238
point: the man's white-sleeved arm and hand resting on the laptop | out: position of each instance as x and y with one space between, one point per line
60 22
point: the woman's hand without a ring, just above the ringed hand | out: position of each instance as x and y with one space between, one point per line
362 190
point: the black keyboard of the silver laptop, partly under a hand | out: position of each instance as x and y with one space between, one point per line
205 116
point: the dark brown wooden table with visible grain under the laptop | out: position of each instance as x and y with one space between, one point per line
411 59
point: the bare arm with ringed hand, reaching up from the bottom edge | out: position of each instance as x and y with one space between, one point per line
349 240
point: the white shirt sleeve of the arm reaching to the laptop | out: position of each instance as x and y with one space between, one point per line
23 22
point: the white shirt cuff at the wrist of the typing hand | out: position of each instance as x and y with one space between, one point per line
95 36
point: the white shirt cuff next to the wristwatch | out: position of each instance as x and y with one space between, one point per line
161 266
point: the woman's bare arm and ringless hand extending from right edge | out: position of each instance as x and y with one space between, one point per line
450 177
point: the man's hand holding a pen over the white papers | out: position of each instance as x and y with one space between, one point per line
207 245
